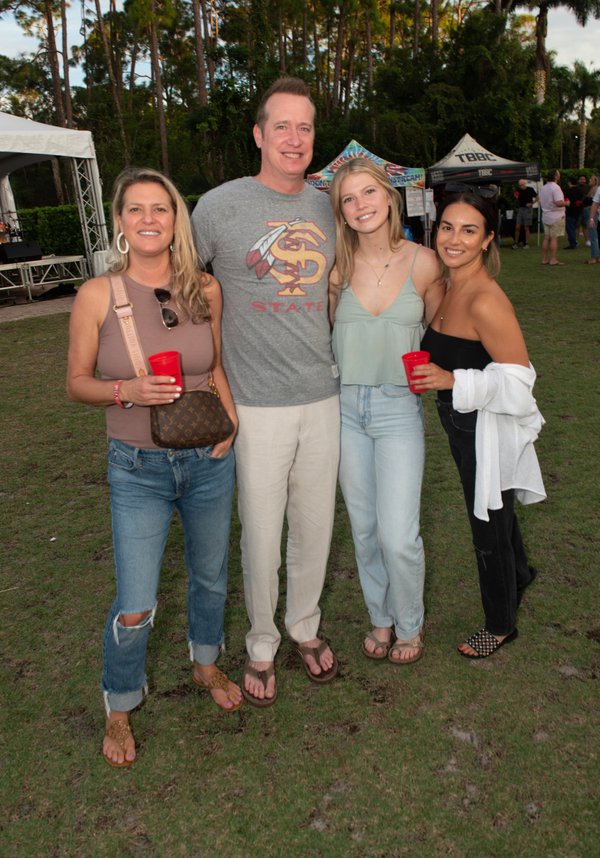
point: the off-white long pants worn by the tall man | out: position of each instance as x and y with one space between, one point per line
287 463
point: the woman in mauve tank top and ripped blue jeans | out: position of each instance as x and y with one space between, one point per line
175 306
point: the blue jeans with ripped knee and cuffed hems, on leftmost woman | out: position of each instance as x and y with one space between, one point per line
146 487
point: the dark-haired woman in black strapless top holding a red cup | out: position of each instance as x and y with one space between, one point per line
475 325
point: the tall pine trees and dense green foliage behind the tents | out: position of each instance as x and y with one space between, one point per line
174 83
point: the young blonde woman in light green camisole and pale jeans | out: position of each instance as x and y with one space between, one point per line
383 289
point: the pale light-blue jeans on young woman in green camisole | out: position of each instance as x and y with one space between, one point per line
381 474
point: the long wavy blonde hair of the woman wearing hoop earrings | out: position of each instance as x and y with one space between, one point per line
188 278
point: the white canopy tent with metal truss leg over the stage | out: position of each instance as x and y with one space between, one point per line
24 142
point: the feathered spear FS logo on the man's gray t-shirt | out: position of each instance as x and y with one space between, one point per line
285 252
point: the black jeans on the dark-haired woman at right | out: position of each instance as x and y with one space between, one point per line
504 572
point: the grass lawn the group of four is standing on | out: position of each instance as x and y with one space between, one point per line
444 758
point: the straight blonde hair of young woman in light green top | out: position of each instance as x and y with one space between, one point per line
346 239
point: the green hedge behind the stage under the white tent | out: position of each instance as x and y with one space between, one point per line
57 229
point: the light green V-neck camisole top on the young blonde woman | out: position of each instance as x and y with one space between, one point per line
368 349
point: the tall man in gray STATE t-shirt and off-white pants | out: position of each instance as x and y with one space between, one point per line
271 242
